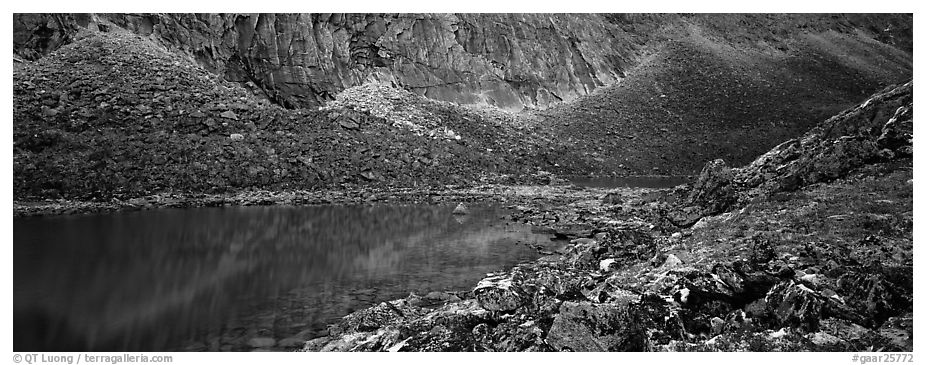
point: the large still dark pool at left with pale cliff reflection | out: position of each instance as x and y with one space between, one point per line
215 278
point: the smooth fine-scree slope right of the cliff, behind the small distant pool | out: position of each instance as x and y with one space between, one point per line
701 97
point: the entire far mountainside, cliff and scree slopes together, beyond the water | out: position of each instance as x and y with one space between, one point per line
121 105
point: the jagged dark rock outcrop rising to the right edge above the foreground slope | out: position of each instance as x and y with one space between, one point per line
879 129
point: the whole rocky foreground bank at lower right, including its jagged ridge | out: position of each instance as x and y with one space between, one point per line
816 256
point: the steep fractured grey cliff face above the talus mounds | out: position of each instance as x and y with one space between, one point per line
508 60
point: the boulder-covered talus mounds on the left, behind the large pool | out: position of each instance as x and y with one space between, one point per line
114 115
